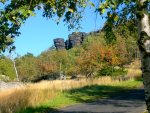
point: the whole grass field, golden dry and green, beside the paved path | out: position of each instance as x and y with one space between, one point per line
51 95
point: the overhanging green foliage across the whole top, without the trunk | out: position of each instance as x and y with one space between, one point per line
15 12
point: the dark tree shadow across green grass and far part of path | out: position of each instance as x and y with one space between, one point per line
96 92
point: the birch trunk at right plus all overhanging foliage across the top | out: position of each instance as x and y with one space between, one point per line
118 12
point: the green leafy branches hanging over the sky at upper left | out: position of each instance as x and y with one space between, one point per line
15 13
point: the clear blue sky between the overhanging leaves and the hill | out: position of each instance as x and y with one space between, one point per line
37 33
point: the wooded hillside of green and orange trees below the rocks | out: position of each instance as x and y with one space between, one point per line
93 58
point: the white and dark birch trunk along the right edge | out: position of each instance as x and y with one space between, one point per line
144 47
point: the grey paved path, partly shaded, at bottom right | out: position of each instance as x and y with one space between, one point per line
131 102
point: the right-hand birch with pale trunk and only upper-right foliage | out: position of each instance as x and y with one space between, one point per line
119 12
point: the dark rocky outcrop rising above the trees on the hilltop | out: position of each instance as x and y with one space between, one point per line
74 39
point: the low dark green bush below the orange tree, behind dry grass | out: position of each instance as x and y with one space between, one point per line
112 71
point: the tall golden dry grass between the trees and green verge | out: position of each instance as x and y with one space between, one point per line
33 94
